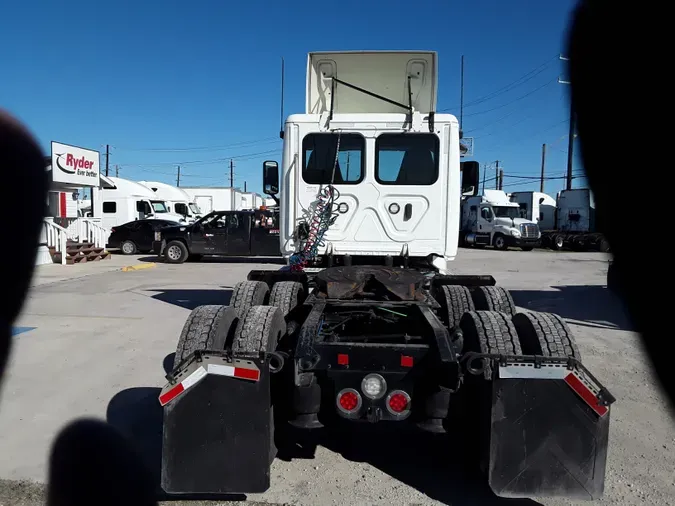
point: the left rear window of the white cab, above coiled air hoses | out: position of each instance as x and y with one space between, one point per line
318 159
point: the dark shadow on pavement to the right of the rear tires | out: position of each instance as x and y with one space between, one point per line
588 305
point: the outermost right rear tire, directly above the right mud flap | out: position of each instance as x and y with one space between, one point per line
545 334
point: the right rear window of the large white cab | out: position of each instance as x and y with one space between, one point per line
406 159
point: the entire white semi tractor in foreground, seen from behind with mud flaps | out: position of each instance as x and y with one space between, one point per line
365 323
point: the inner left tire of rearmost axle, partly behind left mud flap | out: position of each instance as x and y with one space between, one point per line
259 330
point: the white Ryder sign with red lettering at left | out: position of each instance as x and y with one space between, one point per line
73 165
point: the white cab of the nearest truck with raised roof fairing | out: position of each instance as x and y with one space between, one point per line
370 149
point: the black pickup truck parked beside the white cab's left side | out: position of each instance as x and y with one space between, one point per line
221 233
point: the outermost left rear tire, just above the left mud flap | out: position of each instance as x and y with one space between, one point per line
207 328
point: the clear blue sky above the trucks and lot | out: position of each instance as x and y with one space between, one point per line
168 82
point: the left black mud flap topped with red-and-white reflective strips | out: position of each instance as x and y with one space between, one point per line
216 437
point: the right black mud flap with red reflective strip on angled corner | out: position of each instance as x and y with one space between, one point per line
549 431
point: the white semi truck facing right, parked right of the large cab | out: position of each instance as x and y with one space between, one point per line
492 219
